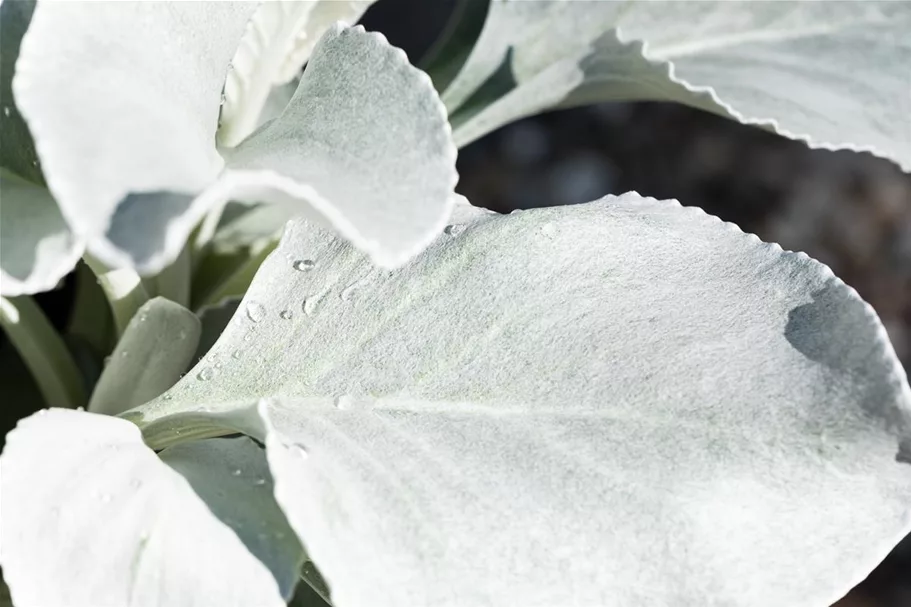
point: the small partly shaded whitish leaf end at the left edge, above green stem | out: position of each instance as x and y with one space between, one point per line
37 248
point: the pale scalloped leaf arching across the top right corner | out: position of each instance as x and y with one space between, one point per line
833 74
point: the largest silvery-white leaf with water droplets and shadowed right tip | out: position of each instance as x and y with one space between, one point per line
672 414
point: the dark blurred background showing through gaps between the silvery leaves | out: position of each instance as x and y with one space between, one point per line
850 211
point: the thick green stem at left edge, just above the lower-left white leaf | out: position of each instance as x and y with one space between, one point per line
43 351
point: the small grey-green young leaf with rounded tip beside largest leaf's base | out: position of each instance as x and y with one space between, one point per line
151 355
